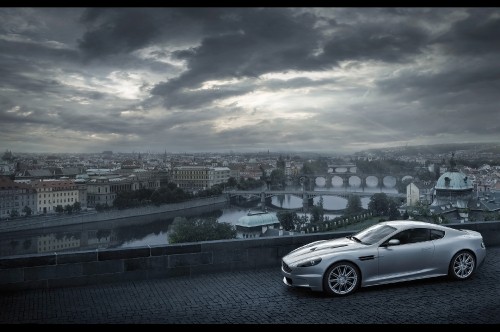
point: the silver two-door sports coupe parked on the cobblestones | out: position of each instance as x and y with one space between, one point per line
387 252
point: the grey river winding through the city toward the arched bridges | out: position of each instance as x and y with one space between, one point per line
112 234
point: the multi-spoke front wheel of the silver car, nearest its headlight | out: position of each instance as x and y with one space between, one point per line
341 279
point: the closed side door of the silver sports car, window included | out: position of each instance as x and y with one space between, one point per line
411 259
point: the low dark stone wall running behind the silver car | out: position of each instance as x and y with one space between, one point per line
175 260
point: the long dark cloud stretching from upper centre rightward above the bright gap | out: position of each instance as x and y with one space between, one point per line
269 41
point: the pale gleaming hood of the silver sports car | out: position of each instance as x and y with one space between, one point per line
321 248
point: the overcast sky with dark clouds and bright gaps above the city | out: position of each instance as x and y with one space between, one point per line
333 80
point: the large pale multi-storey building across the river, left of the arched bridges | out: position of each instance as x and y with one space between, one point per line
195 178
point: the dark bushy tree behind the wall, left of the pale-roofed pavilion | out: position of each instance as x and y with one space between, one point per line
196 230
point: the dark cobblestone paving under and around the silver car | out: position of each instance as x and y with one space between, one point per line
259 297
